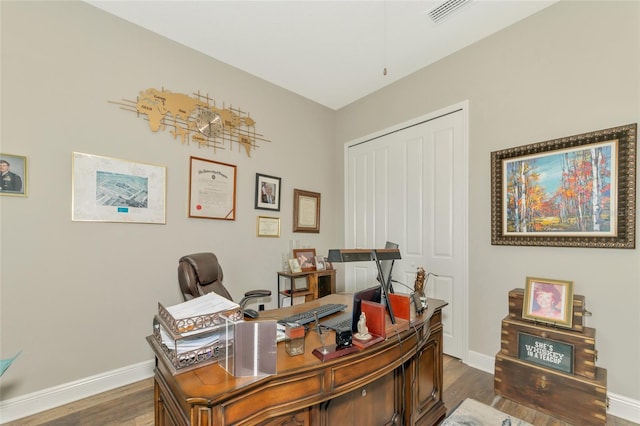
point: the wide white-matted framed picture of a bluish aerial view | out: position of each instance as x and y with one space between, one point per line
108 189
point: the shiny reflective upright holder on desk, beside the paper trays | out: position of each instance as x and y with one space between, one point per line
250 348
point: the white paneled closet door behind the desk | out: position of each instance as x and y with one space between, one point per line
409 186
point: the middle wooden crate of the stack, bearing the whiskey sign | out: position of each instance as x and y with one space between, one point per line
555 348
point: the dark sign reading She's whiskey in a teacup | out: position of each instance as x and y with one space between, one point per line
545 352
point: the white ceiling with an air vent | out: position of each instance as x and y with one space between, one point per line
332 52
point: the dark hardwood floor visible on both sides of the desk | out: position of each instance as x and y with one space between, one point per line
132 405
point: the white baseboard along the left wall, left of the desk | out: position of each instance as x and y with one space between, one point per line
27 405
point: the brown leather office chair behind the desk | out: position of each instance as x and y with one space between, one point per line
200 273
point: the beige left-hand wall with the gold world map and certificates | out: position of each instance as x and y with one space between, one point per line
77 297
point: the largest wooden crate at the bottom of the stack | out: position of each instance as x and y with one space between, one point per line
573 399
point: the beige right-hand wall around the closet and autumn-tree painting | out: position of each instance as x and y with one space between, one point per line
570 69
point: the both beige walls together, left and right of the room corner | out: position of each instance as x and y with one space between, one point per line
78 298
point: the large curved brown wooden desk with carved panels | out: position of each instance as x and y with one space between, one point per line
395 382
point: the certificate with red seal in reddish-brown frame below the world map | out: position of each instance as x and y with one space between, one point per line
212 189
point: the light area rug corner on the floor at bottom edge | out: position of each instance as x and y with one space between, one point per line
473 413
